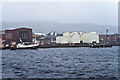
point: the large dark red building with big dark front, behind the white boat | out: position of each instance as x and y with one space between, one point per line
14 35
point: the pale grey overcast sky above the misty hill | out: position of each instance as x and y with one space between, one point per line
104 13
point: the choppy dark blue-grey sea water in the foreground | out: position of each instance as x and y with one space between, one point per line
61 63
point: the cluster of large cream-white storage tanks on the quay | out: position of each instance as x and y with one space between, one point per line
78 37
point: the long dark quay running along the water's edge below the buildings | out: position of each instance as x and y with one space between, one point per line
66 46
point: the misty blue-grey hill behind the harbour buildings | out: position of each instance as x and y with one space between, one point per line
47 26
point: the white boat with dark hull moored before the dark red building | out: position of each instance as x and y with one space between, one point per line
24 45
